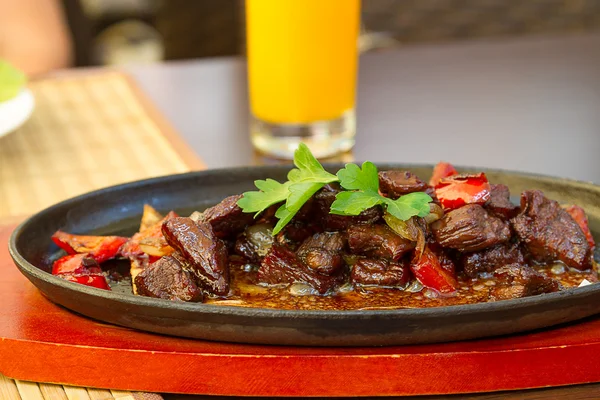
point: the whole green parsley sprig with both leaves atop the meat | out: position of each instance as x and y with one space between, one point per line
309 176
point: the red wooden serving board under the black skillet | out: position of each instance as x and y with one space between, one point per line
43 342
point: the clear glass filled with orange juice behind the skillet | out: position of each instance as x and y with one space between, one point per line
302 64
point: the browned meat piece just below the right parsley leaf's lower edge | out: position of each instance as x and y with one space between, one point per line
378 241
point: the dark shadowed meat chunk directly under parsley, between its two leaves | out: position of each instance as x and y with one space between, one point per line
330 222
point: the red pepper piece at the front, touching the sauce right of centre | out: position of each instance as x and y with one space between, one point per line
429 272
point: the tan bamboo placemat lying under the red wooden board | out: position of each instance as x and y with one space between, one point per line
88 131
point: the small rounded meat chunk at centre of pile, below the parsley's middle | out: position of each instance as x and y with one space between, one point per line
322 252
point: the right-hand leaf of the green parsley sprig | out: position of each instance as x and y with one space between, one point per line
364 184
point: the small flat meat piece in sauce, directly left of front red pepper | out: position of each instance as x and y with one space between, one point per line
380 272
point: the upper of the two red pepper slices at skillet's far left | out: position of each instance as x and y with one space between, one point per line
100 248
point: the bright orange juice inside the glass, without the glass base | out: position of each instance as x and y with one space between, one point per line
302 59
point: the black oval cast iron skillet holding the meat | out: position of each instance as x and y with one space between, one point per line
117 210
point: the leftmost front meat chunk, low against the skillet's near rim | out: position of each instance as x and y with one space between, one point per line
167 279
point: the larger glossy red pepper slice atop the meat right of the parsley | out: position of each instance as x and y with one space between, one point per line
458 190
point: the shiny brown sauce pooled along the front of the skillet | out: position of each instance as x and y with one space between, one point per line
247 293
